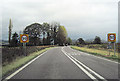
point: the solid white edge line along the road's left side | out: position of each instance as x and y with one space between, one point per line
13 74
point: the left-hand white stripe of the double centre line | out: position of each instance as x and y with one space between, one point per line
85 71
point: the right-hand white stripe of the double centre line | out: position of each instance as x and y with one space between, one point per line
99 76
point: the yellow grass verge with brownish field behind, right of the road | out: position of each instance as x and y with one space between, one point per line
100 50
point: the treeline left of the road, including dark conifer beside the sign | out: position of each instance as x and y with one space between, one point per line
43 34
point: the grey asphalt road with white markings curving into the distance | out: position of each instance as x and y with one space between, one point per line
66 63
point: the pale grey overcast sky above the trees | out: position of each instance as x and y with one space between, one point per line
81 18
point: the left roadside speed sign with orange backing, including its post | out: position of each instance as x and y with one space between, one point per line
24 38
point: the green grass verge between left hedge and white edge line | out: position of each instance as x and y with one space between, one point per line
20 61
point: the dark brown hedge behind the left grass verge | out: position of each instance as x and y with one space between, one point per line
9 54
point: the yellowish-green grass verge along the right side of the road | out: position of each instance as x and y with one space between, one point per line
103 53
